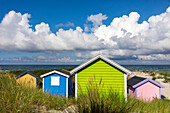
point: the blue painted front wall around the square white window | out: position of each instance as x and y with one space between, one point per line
55 90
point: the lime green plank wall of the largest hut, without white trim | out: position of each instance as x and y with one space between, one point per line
112 78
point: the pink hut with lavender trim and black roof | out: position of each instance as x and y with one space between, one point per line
144 88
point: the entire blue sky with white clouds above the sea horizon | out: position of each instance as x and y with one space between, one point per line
70 32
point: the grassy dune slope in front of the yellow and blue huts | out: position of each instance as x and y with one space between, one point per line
17 98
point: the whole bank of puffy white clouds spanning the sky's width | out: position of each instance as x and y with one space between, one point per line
123 38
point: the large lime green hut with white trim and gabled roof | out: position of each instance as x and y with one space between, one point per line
113 75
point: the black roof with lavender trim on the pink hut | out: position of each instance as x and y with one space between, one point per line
136 81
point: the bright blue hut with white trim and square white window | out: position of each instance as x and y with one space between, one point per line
58 83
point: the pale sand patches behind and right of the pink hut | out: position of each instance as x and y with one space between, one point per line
164 91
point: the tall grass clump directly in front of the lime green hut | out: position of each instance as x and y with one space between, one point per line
96 100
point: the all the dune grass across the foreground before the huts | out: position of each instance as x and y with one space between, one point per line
17 98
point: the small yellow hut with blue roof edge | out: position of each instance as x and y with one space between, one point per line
28 79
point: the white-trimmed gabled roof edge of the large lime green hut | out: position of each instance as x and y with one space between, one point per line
102 58
